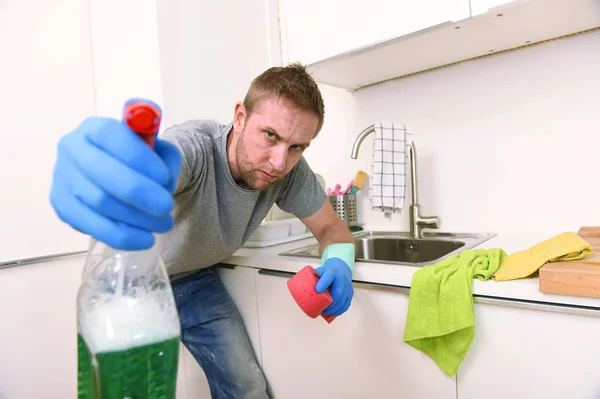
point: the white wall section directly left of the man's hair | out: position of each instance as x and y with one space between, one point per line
210 52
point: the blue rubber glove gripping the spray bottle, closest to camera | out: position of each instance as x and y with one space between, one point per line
109 184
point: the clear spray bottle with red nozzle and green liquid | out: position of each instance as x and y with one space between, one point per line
128 329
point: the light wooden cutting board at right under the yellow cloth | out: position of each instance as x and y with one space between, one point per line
577 277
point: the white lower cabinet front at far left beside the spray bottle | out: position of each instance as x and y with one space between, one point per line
38 342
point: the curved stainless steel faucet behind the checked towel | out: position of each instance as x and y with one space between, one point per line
417 221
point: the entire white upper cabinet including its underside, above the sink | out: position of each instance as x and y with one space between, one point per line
352 46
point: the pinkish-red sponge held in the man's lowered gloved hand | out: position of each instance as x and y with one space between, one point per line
302 287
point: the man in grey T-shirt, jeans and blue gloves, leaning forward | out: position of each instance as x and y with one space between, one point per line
219 181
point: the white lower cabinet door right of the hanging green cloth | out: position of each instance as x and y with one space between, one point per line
533 354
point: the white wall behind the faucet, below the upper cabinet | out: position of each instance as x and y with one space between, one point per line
507 144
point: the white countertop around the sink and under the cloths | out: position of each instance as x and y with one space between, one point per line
399 275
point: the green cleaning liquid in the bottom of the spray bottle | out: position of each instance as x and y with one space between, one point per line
145 372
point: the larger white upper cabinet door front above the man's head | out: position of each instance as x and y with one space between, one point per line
316 30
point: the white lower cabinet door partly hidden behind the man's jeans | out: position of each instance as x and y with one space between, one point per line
240 285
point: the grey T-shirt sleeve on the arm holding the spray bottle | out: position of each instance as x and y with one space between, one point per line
192 153
